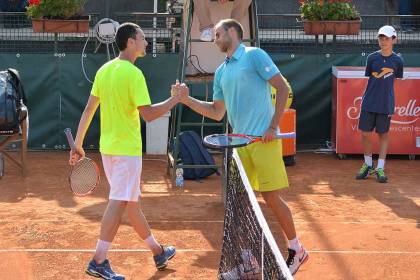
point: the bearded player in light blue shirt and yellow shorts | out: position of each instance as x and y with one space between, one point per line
242 89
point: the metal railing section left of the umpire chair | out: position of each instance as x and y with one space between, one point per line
16 34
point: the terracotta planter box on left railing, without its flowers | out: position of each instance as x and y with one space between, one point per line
60 25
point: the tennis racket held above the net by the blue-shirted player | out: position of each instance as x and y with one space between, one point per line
219 141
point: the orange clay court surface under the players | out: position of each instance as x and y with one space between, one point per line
352 229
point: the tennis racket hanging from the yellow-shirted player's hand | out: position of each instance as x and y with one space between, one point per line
84 175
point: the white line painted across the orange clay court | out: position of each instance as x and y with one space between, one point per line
200 251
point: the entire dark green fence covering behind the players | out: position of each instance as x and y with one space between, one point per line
57 91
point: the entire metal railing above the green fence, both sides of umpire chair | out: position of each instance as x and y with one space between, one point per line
278 33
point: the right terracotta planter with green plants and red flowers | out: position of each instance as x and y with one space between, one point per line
336 17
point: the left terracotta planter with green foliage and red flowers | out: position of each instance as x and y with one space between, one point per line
58 16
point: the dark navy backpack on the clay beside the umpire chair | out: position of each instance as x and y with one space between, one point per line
192 151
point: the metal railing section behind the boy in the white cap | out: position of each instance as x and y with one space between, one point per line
284 33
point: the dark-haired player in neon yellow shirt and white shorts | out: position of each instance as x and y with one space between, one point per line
120 90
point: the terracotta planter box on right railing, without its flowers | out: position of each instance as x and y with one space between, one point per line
348 27
